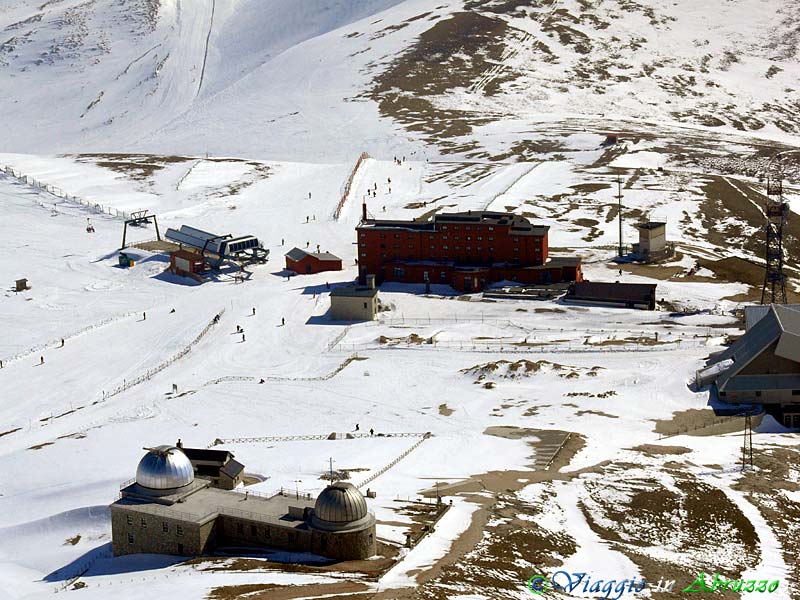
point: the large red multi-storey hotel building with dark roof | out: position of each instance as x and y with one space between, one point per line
465 250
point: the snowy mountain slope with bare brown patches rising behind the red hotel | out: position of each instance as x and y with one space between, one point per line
330 78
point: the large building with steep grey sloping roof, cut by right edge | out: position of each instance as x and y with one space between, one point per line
762 367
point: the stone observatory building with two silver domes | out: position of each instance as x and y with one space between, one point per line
167 510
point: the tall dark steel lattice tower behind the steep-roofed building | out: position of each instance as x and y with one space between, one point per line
777 211
